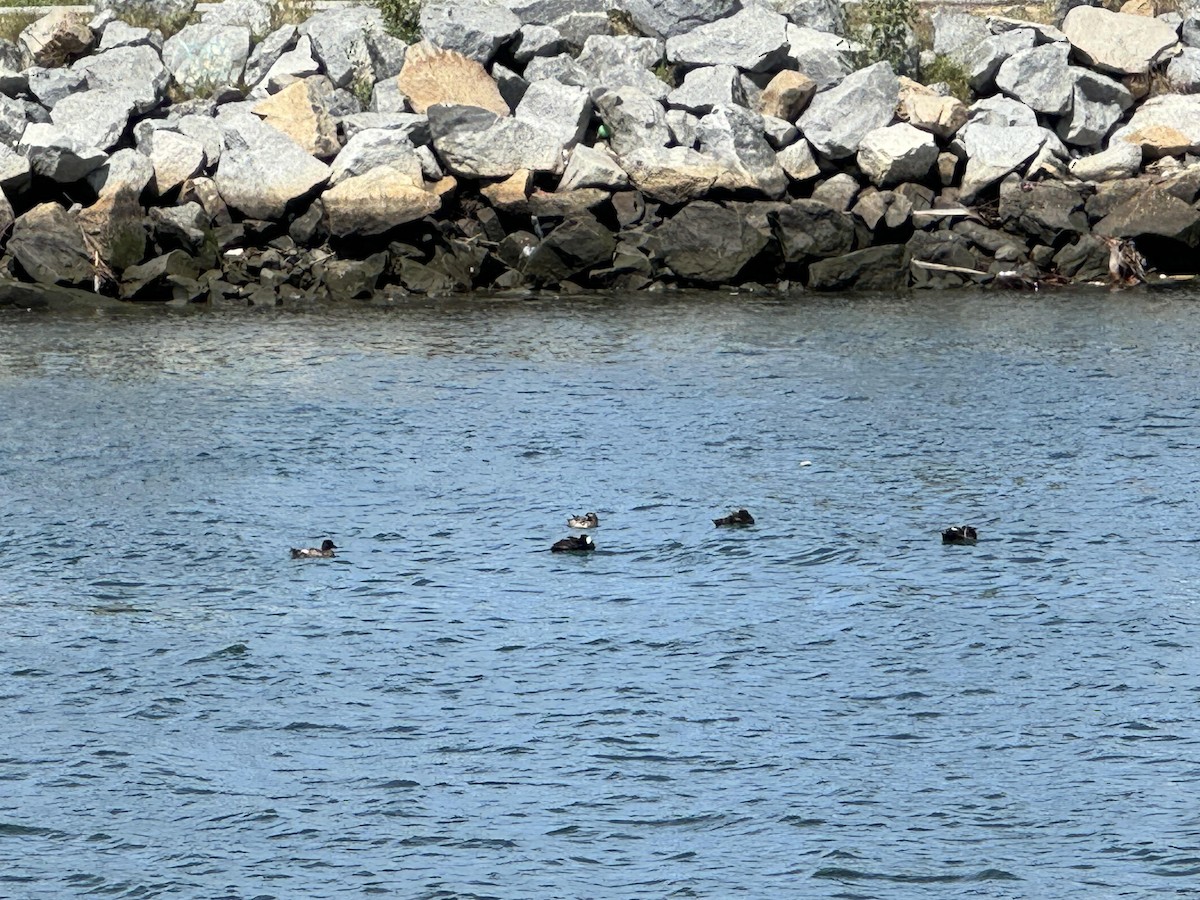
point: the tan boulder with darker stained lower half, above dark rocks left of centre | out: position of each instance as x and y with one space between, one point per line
377 202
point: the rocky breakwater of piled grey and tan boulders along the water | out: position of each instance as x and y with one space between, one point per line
626 145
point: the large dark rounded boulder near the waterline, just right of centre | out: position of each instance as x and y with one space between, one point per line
710 243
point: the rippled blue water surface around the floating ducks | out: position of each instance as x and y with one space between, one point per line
829 705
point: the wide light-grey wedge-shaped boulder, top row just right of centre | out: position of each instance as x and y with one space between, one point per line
754 40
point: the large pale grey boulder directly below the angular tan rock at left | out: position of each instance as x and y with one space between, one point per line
262 171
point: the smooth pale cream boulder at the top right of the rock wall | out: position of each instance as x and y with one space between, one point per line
1118 43
